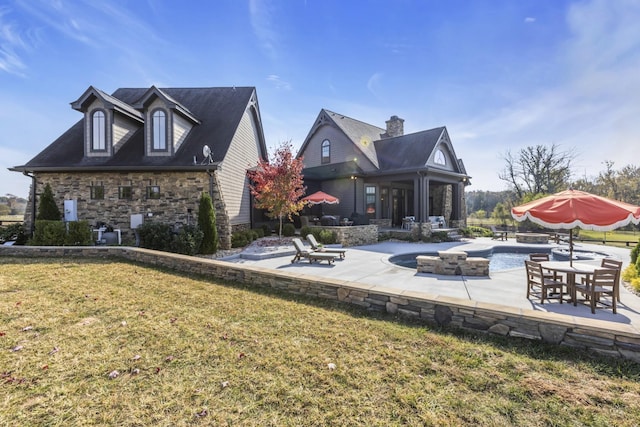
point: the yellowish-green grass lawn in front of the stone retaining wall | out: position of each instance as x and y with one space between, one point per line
85 342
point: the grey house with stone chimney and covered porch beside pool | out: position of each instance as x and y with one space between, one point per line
384 175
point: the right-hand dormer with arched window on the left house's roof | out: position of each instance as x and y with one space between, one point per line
167 122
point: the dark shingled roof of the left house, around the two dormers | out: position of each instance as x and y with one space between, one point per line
219 109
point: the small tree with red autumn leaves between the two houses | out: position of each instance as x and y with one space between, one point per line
277 184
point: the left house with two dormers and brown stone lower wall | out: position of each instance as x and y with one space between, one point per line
150 153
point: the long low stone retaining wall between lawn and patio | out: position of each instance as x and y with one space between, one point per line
621 341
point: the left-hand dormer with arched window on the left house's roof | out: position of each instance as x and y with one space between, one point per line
108 122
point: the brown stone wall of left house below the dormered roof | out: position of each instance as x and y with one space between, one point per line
180 191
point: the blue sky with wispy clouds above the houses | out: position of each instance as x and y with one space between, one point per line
501 75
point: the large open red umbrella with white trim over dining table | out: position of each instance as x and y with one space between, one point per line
572 208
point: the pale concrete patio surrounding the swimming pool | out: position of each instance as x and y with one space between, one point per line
370 265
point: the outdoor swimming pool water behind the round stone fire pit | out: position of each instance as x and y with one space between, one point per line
500 258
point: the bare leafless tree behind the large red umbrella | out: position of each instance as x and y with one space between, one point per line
537 170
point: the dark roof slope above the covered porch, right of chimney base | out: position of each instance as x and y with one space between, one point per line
408 151
